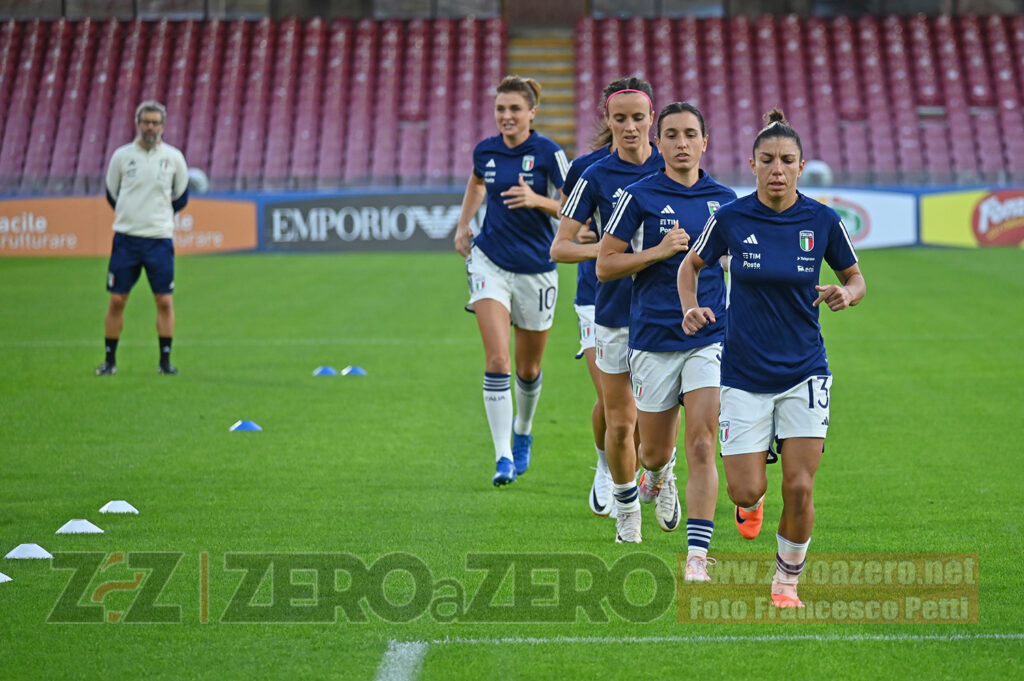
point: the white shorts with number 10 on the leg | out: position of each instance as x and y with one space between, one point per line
529 299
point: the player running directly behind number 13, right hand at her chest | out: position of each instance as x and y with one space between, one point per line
657 216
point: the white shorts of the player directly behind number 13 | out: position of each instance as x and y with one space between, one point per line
661 378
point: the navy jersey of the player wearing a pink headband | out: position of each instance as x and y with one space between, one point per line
594 196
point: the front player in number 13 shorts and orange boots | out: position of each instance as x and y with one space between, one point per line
776 378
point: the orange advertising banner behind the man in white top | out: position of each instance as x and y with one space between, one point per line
63 227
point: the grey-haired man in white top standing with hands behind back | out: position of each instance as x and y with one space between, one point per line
147 184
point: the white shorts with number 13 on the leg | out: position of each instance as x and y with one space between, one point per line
750 421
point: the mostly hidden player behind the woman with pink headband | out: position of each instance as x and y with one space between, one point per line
601 492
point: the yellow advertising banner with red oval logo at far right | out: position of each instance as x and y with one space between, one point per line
973 219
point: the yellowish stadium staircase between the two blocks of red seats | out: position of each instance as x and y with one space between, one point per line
546 56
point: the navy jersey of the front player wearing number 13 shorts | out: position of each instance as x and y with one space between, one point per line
774 339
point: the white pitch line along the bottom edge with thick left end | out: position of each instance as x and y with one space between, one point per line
404 660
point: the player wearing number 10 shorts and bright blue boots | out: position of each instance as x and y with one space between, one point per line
511 278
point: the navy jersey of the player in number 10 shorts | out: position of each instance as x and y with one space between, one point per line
520 240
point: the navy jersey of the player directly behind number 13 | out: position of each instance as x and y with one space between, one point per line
646 212
